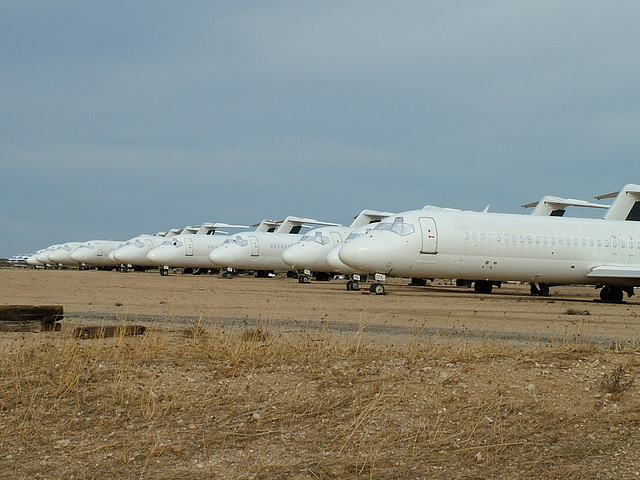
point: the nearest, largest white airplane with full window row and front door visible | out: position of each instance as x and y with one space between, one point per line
494 247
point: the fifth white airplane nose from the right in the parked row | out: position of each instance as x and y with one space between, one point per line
191 251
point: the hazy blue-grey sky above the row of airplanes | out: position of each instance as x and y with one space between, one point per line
120 118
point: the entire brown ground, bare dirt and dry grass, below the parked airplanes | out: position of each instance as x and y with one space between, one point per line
317 382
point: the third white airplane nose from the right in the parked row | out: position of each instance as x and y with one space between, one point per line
310 252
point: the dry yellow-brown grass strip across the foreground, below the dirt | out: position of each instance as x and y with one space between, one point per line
210 402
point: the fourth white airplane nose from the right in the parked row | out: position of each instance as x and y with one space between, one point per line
261 251
